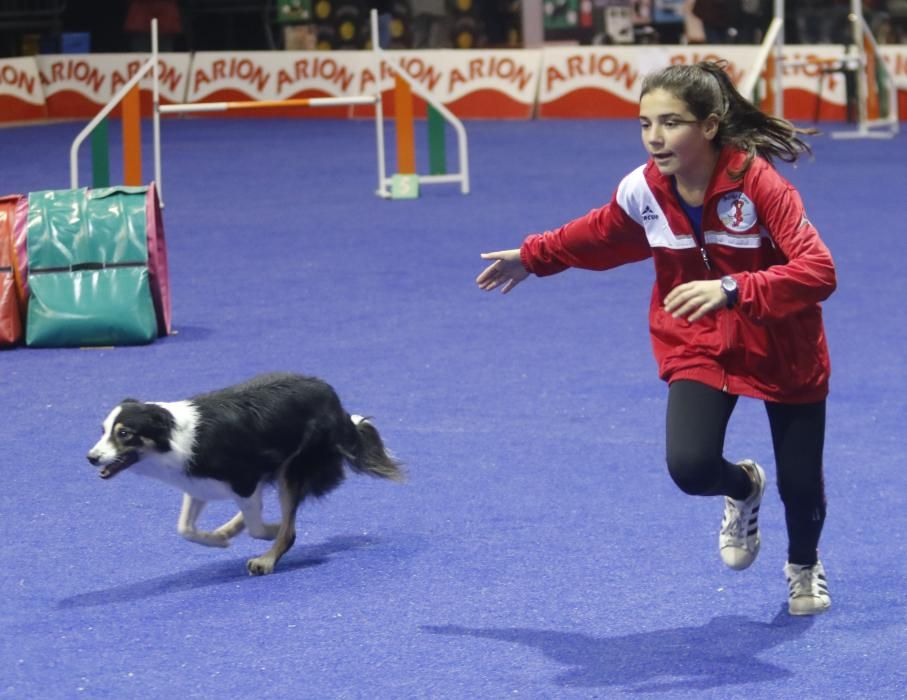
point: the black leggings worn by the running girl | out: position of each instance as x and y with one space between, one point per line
696 424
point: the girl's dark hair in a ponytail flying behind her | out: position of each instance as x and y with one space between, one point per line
707 89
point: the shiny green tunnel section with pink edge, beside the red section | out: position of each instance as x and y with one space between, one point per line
97 268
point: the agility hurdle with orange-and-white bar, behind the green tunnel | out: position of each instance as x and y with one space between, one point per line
403 184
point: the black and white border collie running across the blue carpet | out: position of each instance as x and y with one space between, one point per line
283 429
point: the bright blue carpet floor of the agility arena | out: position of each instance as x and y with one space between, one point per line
539 548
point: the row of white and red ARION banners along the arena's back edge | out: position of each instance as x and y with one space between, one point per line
557 82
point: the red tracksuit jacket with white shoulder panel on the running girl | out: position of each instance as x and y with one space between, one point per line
771 345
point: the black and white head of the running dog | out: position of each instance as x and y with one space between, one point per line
130 432
